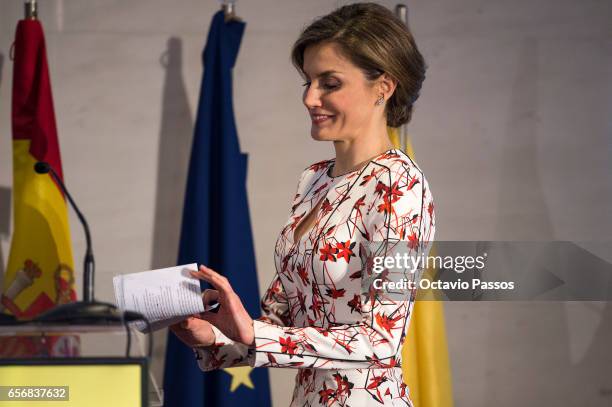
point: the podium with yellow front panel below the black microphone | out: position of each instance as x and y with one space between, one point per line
72 365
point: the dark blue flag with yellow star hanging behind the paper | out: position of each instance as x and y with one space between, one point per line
216 228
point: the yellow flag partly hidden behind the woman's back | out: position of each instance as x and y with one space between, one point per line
426 364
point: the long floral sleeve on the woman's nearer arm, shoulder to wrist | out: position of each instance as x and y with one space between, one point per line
399 213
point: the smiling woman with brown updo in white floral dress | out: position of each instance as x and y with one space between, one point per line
363 73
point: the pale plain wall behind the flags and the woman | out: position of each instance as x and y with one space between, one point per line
512 130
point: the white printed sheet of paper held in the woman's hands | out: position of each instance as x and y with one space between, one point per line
163 296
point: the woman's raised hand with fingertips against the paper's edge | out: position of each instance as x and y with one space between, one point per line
231 319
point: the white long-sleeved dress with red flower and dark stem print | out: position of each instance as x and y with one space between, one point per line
346 344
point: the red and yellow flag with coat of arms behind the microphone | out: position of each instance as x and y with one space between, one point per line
40 273
